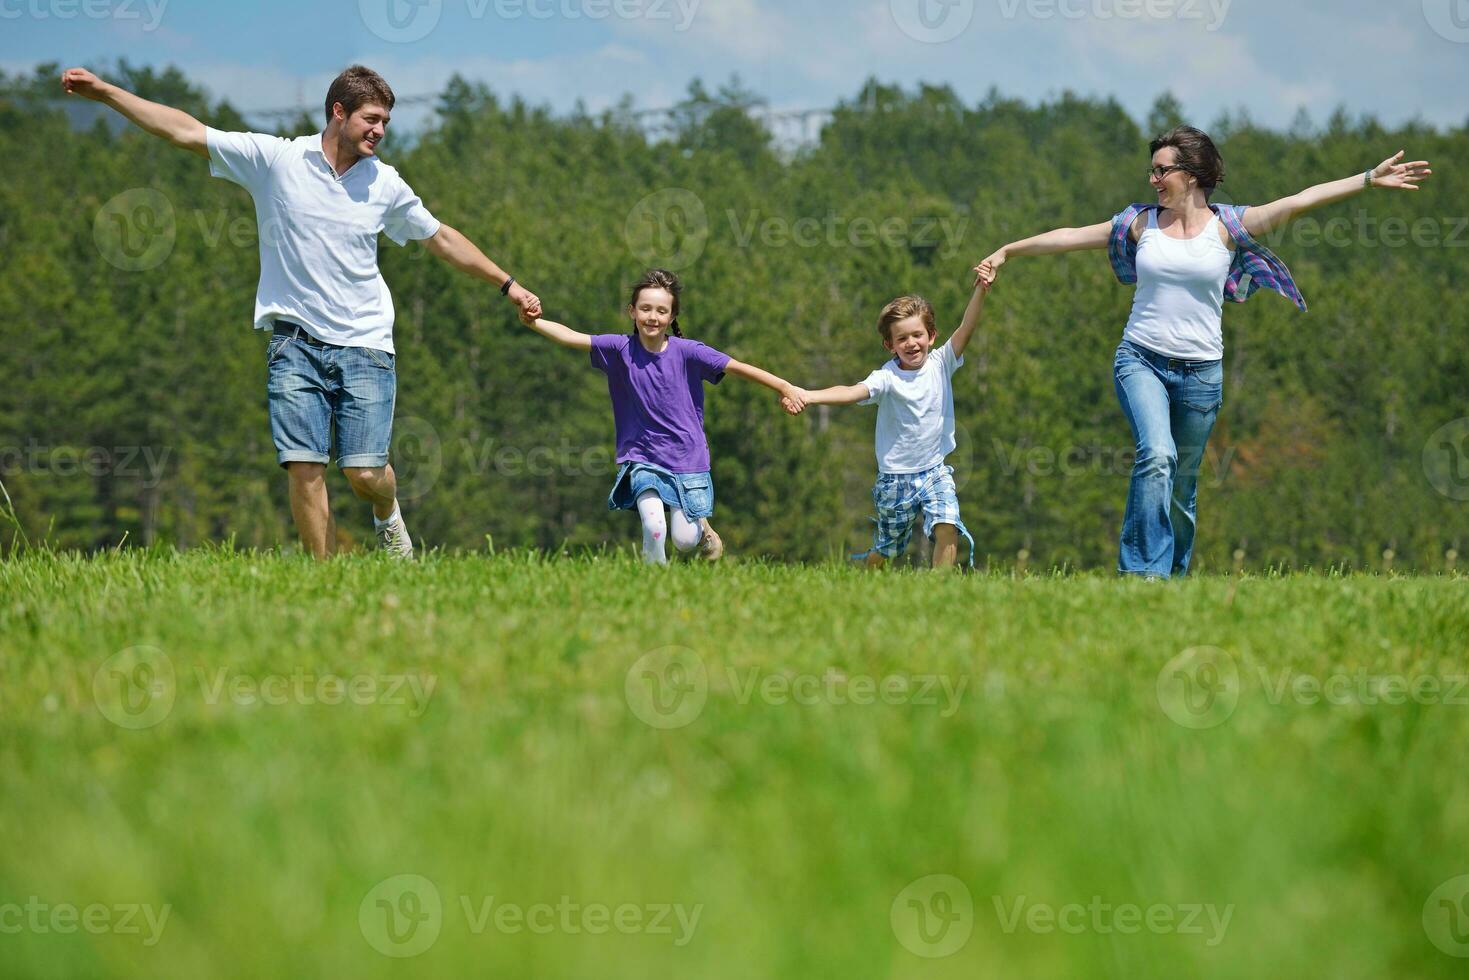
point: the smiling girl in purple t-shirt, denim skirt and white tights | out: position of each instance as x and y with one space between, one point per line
656 381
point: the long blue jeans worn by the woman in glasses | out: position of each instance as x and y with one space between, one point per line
1172 406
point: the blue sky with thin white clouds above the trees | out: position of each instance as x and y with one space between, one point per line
1398 60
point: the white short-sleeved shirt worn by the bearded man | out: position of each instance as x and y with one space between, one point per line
320 234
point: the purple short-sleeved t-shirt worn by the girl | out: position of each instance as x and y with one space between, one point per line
659 399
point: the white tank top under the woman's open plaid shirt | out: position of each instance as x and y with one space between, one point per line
1179 306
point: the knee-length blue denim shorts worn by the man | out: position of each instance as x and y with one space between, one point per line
315 390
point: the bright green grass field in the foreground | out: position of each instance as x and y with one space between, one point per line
224 765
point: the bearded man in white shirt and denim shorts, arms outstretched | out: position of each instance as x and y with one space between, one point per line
321 203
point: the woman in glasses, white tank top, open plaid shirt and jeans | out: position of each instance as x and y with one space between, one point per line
1186 256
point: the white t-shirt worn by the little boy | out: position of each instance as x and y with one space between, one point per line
914 412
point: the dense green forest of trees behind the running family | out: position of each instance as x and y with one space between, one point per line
134 400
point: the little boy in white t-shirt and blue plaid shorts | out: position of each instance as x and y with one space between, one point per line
914 400
